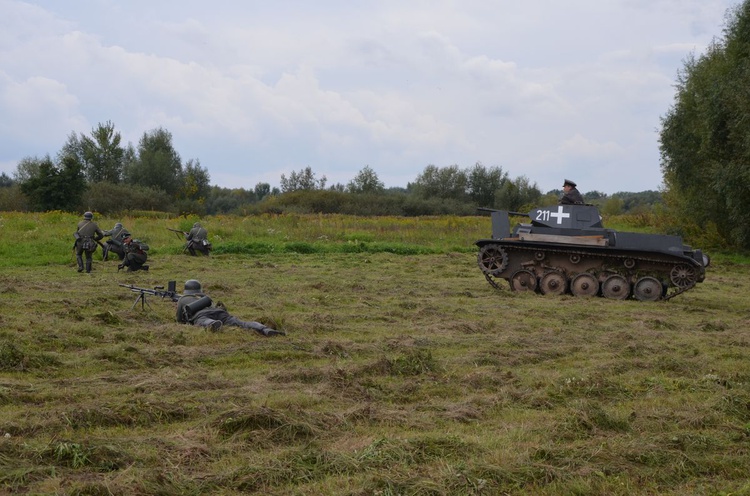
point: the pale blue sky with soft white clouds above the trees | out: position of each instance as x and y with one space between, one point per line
252 89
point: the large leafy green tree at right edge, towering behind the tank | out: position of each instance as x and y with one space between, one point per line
705 153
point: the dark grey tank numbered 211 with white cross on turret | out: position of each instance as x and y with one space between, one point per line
566 249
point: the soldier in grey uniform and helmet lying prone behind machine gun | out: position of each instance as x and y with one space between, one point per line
194 307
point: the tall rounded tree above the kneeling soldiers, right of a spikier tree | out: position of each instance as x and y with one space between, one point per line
155 163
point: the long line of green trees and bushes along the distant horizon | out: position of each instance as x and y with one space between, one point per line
97 172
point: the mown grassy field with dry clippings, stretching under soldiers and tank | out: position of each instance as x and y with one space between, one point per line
402 373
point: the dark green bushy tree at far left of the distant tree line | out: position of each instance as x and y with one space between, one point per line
55 187
